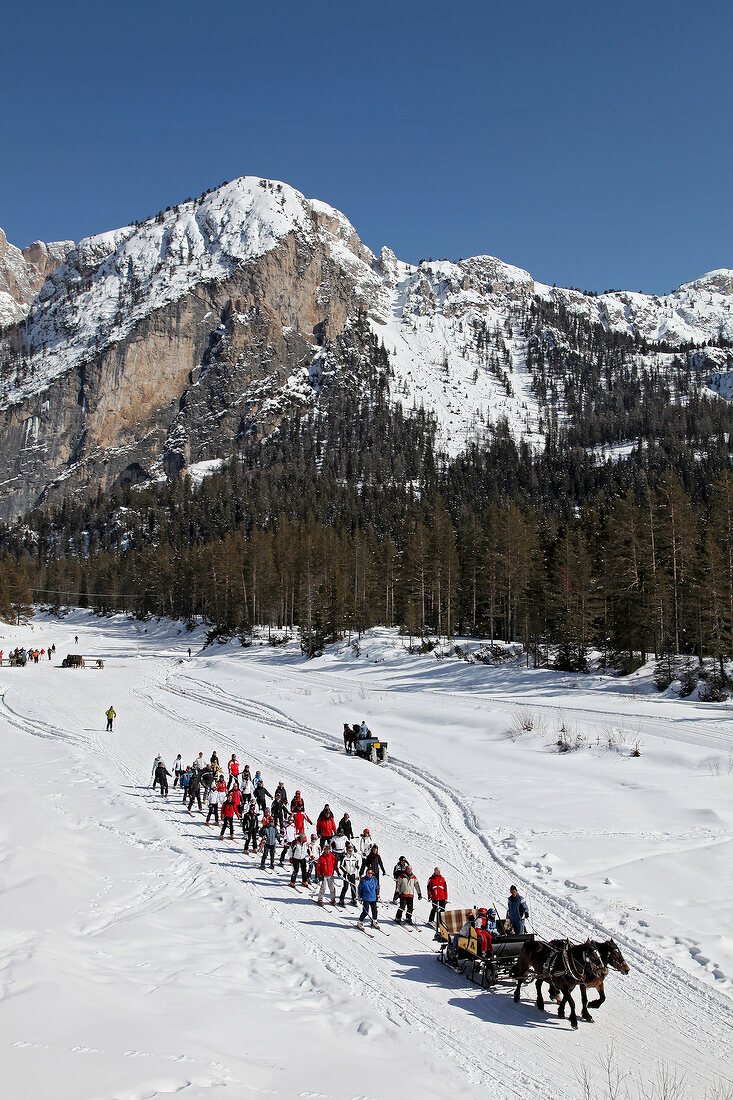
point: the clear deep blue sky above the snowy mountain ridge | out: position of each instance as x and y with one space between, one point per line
589 144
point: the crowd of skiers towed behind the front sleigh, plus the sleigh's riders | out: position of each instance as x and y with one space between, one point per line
270 821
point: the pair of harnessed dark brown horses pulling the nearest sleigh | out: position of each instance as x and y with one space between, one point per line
564 966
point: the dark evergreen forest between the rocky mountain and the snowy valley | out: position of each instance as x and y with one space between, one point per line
352 518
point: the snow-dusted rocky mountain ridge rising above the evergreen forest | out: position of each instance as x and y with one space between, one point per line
159 346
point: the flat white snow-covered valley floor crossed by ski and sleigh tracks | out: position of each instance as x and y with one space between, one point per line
141 956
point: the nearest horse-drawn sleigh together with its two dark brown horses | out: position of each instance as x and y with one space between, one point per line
523 959
